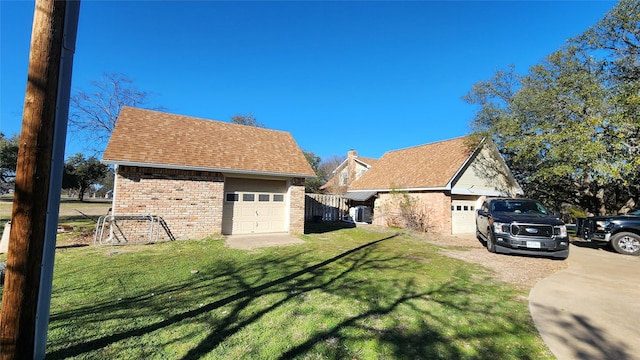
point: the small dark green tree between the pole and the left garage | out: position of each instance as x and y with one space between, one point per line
81 174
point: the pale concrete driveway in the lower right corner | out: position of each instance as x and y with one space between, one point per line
591 310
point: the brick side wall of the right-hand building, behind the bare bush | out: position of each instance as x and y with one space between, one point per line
436 204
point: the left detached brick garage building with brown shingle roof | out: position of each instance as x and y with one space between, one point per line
205 177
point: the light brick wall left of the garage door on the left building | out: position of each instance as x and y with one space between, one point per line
189 201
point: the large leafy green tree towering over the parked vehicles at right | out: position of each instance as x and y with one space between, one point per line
568 128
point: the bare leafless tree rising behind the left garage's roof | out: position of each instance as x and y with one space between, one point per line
93 115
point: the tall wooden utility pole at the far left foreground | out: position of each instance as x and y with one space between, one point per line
32 206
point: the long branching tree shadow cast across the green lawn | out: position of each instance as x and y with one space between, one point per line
256 289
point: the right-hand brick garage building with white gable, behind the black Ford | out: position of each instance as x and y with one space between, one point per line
448 180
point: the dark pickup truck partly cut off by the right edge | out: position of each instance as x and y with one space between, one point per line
622 232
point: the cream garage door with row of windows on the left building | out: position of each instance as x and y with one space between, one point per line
254 206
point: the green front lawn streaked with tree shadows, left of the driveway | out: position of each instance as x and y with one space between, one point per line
349 293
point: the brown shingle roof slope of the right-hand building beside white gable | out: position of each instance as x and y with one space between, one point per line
425 166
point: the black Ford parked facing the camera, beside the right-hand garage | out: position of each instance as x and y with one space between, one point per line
521 226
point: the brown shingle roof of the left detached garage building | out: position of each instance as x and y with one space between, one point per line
157 139
